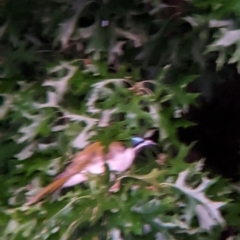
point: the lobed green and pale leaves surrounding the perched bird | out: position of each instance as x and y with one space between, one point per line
63 84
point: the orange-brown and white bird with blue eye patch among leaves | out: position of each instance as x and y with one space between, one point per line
92 160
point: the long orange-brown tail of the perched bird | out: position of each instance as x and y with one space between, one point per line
48 189
